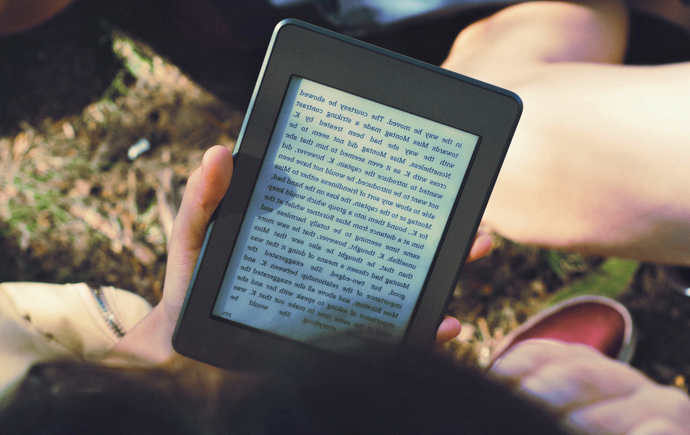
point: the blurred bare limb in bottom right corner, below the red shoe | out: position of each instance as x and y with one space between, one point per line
591 393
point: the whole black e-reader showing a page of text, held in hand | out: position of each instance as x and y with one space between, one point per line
358 188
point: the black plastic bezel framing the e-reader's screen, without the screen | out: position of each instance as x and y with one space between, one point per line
303 50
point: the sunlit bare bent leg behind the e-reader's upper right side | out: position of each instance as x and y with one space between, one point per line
598 162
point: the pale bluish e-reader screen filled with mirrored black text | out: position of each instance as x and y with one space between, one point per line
349 208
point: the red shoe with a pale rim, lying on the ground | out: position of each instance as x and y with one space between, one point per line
595 321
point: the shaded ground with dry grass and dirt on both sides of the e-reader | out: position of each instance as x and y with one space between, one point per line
78 92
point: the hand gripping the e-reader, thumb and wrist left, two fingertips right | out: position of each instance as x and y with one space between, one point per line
149 342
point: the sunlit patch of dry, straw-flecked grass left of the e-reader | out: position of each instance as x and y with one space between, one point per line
75 208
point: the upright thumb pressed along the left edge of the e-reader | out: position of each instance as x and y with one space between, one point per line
205 189
